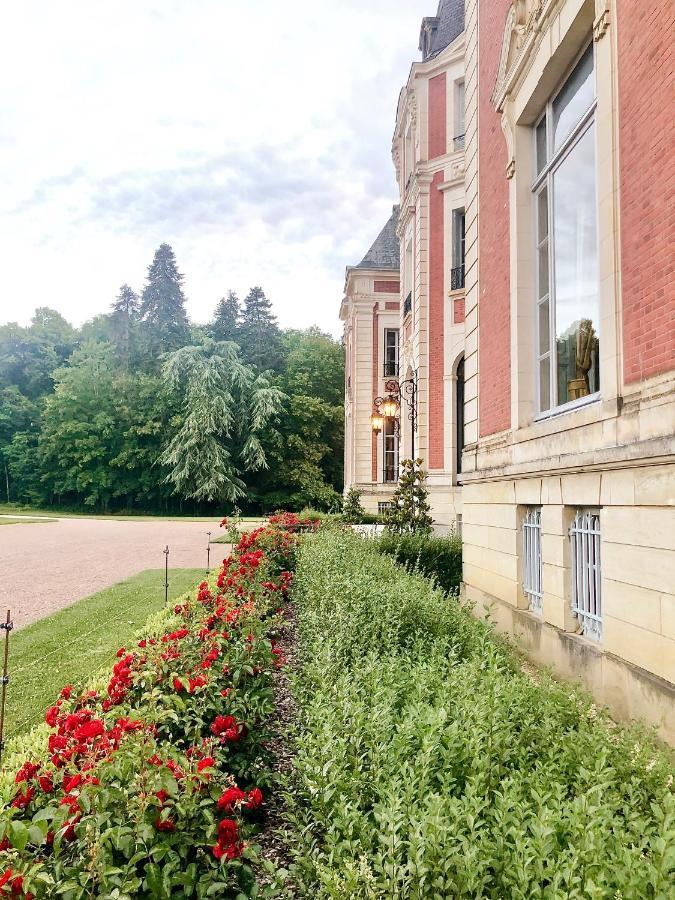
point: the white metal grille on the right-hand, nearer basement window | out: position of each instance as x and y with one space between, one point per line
586 596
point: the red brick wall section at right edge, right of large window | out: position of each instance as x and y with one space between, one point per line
647 186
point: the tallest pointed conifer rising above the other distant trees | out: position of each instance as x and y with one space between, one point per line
163 304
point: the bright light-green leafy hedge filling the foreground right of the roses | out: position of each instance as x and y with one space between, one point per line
429 765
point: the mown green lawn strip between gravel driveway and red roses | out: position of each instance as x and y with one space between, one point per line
69 646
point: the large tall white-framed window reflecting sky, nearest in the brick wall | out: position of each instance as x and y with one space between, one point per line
568 305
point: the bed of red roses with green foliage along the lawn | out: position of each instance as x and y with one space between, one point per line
152 786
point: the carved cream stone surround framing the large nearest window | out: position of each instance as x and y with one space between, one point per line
550 41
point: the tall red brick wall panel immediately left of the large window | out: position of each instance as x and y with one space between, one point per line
494 343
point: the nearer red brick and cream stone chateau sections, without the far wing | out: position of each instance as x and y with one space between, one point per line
537 324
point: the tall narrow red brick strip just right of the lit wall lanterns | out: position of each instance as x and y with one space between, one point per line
436 324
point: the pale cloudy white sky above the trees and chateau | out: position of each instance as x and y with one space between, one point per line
252 135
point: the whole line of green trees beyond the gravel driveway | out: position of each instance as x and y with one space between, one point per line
140 409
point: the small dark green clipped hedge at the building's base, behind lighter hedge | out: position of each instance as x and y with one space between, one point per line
440 557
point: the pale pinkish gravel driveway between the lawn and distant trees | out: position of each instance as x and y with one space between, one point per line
44 567
